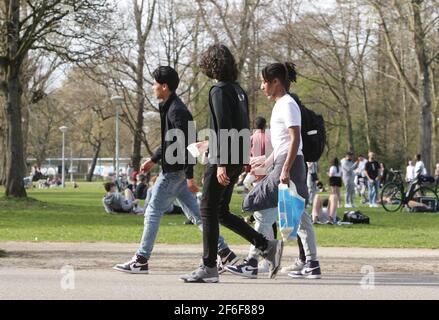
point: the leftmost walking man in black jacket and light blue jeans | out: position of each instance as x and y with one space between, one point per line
176 181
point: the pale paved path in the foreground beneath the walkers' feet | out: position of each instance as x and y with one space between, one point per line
44 271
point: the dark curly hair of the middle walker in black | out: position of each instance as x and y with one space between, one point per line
218 63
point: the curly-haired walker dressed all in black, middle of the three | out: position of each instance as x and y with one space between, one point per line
229 146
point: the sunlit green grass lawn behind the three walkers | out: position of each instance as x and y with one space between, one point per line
76 215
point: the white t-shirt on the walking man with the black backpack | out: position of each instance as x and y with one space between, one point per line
286 114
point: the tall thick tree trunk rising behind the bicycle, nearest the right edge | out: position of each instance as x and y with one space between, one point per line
425 85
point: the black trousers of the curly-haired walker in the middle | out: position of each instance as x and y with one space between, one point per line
215 210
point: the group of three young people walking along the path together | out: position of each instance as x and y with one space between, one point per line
228 105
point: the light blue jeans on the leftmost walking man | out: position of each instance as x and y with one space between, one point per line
168 188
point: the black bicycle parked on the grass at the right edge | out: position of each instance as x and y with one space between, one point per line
394 197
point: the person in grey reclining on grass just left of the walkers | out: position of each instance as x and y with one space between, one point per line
114 202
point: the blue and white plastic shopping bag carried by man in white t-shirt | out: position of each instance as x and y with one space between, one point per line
290 208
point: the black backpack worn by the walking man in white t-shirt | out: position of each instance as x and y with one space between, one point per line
313 132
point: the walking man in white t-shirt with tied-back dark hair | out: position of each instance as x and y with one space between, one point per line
284 164
